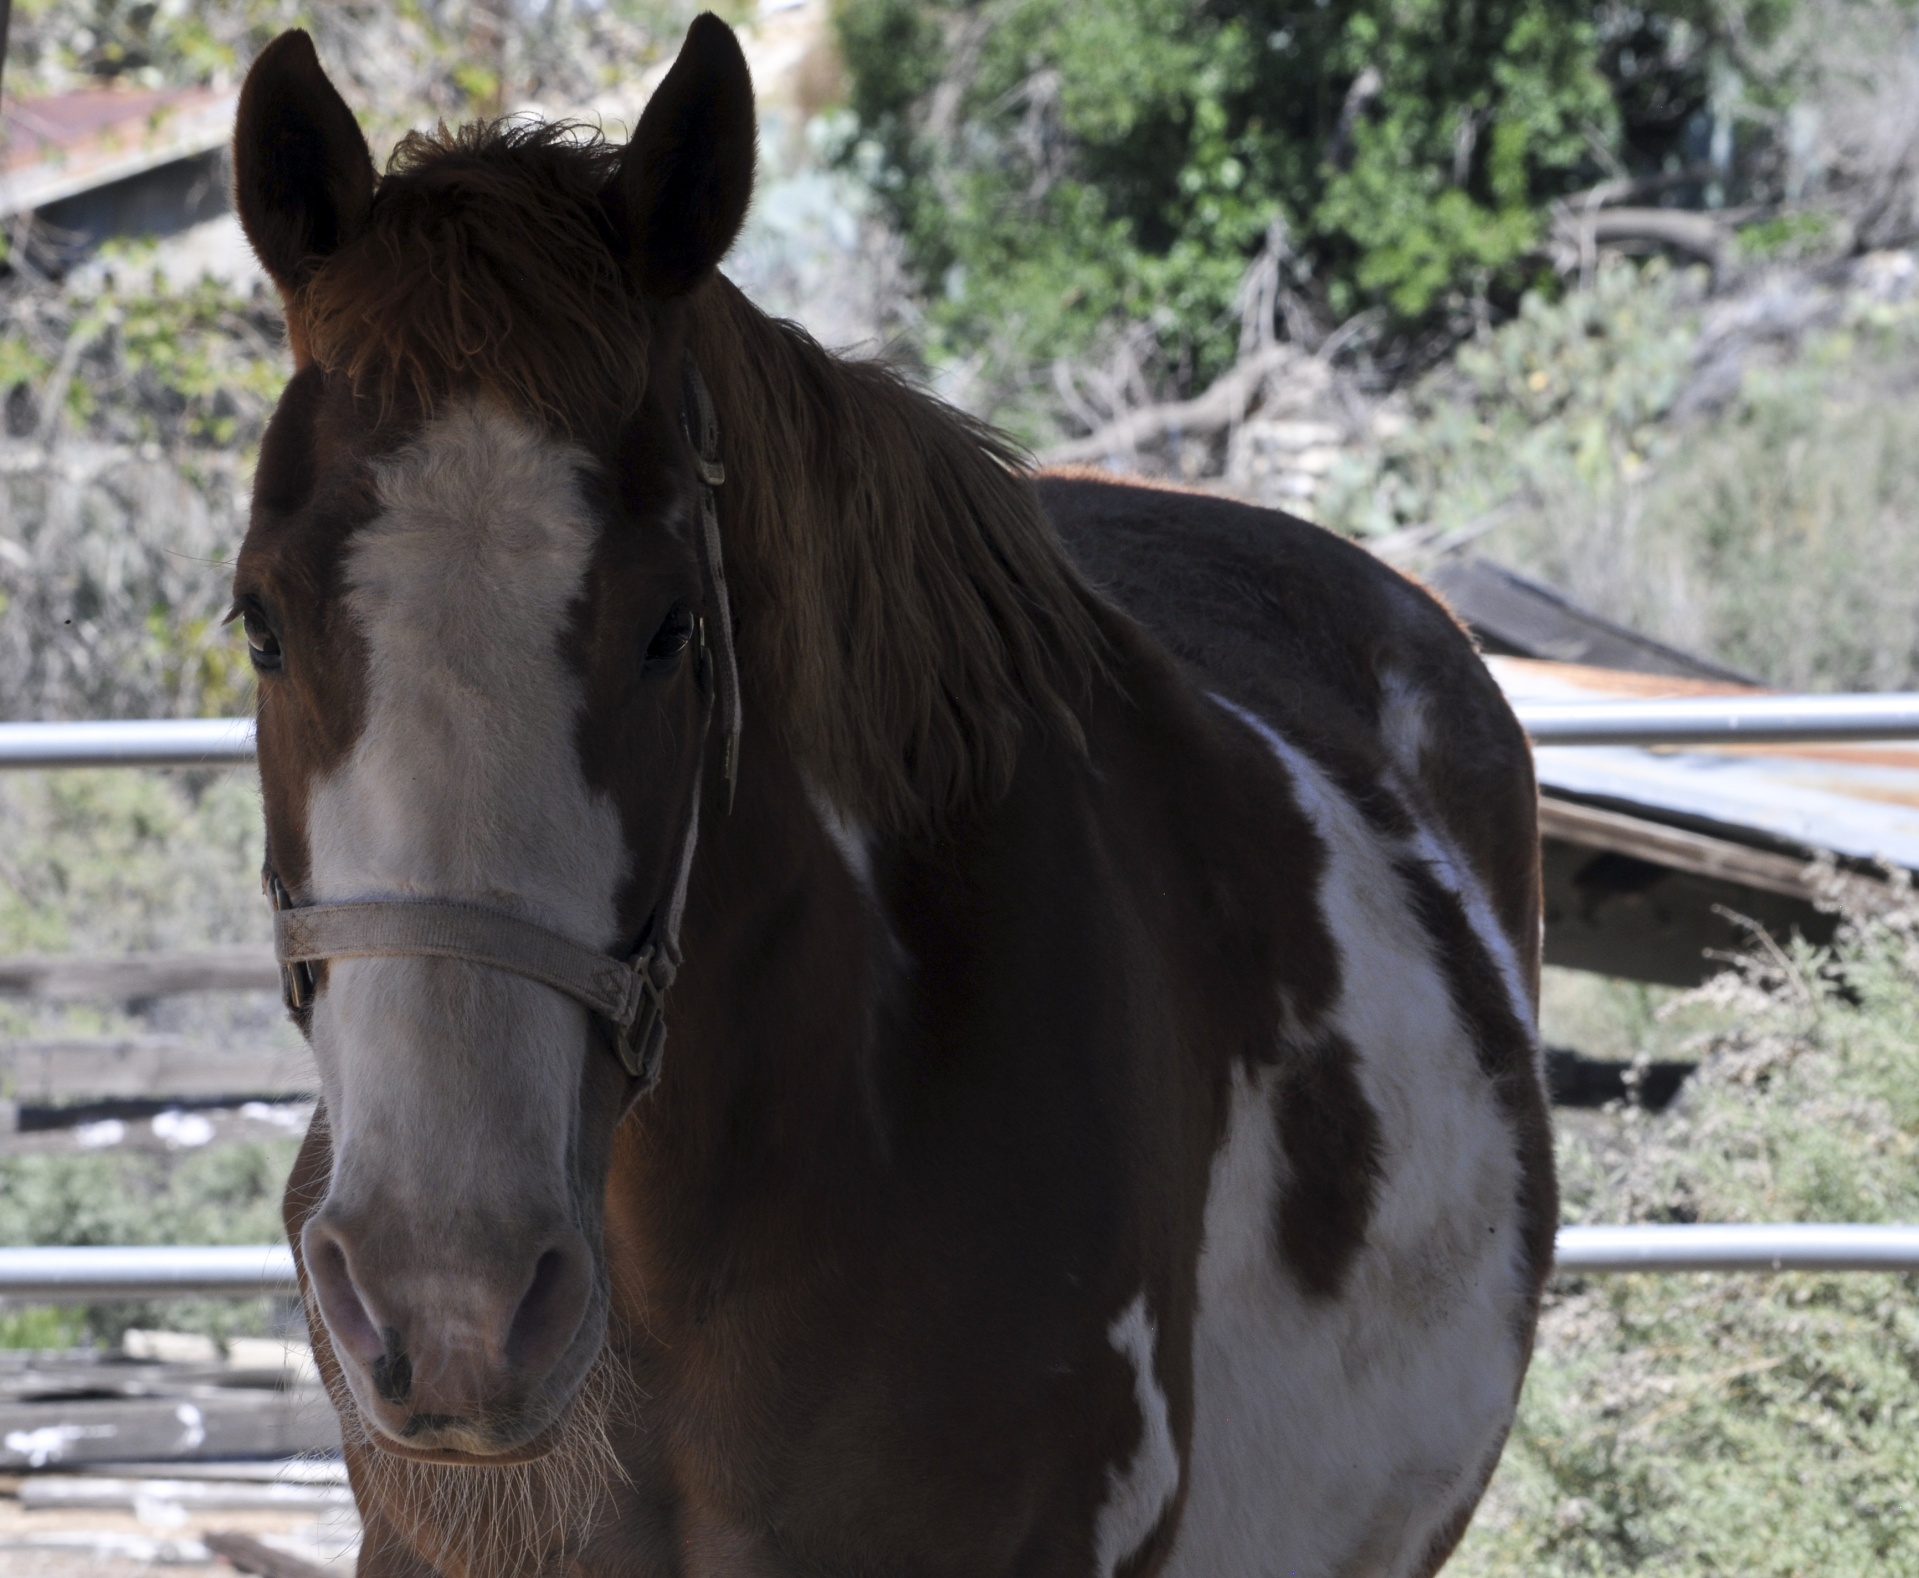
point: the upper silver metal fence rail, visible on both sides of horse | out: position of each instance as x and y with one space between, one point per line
1688 721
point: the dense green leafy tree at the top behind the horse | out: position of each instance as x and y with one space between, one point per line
1064 166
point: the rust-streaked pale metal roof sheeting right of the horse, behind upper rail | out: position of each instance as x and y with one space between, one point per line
1853 800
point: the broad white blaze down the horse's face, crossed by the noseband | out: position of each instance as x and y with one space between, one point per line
465 784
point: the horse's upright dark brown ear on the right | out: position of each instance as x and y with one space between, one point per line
686 178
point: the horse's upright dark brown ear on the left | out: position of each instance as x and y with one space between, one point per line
302 172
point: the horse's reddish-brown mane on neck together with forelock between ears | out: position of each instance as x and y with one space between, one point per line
905 611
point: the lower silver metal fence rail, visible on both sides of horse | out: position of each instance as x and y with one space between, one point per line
254 1270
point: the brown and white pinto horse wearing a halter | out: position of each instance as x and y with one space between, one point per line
1101 1126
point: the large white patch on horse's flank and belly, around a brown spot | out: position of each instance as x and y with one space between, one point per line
1342 1435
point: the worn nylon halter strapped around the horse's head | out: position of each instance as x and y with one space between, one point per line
628 993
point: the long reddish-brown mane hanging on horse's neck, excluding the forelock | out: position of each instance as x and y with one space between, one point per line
899 588
